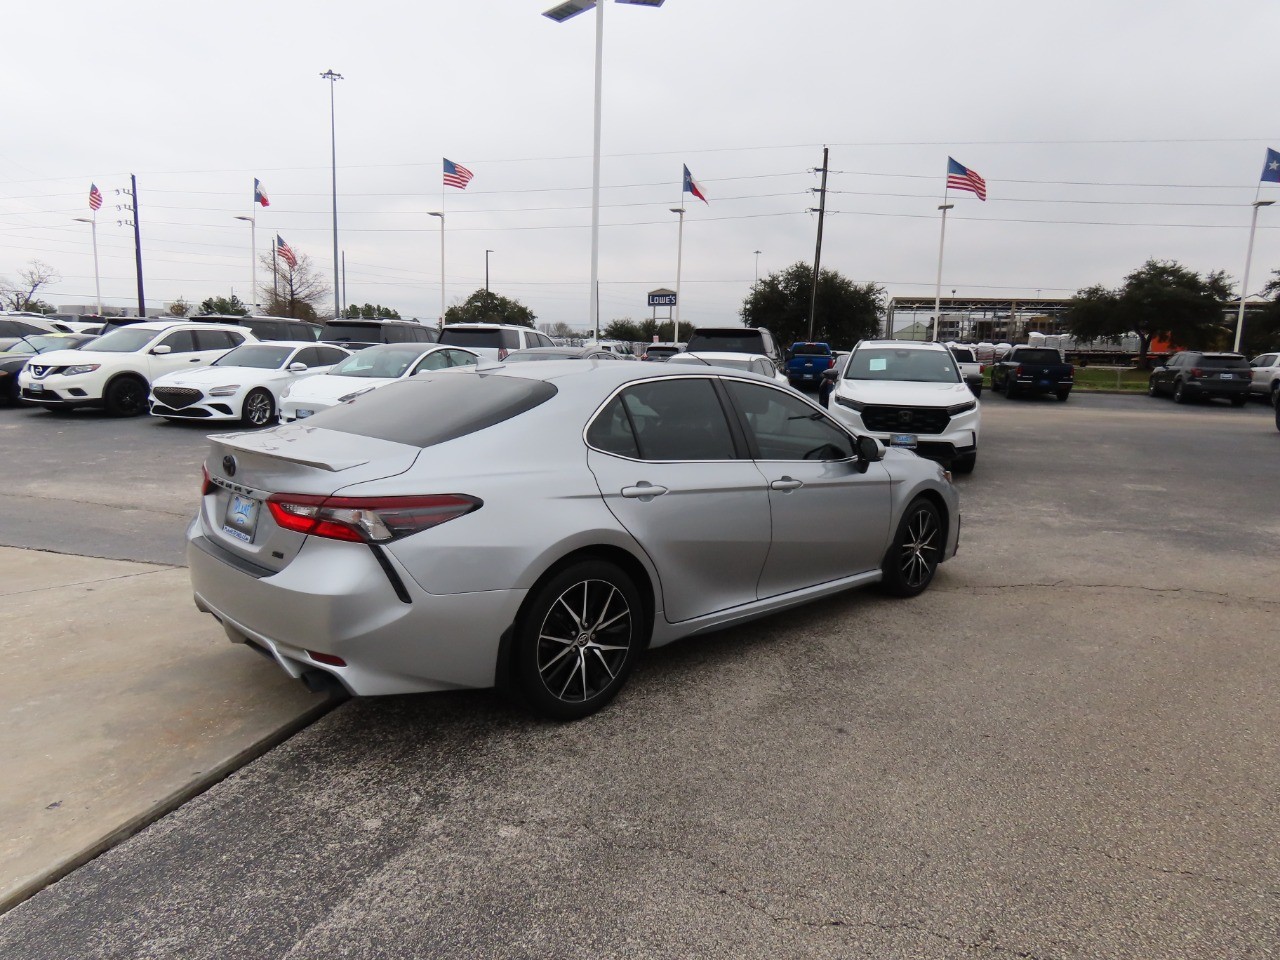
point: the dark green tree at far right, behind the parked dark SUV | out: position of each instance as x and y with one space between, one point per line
1160 299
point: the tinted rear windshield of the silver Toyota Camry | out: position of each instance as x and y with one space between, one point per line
424 412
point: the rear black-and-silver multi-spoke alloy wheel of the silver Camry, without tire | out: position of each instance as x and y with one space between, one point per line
584 641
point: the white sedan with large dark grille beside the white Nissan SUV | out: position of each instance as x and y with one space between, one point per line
245 385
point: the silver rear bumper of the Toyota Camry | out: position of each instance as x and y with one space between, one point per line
335 598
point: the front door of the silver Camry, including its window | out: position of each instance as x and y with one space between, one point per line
830 514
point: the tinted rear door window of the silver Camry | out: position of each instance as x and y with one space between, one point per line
679 420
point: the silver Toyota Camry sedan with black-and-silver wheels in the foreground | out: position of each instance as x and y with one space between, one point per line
537 527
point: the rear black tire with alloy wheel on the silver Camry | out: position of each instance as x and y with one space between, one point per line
568 665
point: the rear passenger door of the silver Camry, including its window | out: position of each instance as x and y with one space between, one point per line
670 469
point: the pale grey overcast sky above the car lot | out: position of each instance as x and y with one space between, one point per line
1108 134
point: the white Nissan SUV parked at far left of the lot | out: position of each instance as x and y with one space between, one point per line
117 371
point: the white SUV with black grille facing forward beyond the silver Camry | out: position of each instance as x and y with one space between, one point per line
908 394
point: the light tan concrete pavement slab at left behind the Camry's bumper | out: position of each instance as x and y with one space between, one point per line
121 702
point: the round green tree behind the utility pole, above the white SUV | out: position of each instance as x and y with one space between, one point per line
847 312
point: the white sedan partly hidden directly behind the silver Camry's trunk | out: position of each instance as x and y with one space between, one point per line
368 371
